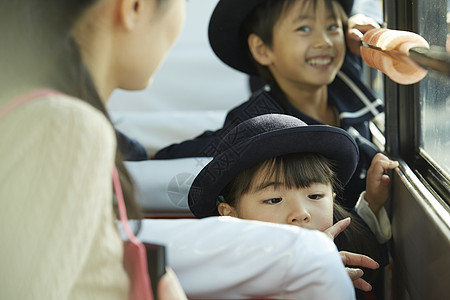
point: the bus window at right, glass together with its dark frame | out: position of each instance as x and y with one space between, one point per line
417 123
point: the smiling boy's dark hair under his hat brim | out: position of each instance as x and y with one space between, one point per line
262 21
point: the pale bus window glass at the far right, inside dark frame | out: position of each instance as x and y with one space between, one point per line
433 132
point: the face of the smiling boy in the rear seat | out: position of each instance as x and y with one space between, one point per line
308 45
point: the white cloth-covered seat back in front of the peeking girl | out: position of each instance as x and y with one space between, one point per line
230 258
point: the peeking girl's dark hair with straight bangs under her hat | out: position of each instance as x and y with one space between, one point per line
301 170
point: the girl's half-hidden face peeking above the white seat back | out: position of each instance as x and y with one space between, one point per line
271 201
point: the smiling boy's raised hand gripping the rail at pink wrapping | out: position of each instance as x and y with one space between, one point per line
358 25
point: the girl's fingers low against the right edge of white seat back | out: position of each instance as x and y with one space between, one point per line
355 274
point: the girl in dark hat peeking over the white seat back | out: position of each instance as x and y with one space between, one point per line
277 169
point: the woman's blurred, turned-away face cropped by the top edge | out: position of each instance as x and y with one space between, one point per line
157 31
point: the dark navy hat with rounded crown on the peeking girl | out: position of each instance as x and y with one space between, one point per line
260 138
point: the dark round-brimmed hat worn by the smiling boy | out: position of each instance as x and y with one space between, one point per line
225 34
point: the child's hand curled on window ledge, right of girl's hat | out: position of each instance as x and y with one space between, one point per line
377 184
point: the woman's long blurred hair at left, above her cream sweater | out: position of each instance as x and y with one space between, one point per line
38 49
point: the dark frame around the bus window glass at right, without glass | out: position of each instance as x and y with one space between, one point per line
403 136
